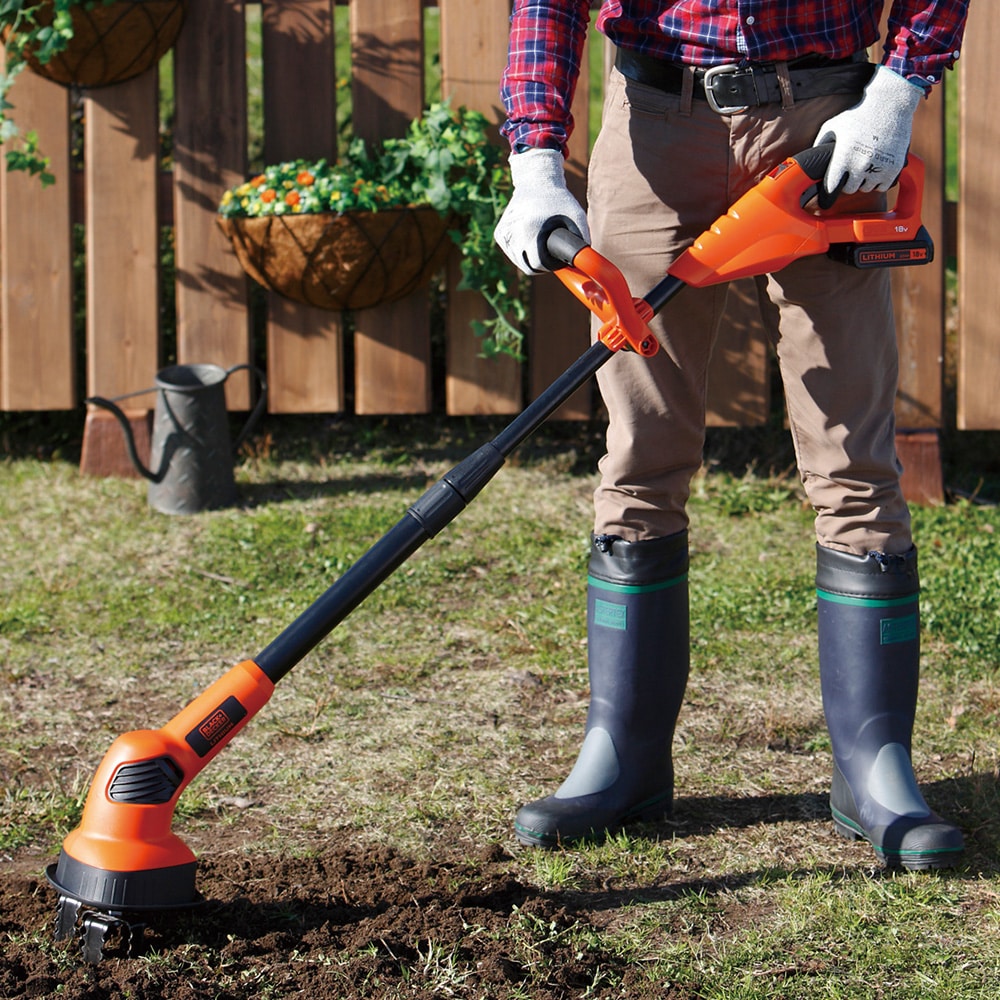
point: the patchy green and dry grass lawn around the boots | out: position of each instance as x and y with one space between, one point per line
462 680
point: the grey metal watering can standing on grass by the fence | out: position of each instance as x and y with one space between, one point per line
190 450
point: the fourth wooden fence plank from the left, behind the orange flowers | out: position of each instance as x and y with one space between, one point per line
304 344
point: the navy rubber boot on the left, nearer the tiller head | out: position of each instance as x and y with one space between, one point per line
637 638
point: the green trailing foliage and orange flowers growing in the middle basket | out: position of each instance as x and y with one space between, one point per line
447 160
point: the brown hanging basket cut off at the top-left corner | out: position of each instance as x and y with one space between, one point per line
111 42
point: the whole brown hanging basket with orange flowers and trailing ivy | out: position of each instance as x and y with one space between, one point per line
377 223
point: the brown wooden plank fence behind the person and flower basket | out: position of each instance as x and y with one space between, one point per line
123 200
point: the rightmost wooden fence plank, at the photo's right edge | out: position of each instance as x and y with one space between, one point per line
979 243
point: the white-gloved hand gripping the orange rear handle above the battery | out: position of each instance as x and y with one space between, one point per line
871 139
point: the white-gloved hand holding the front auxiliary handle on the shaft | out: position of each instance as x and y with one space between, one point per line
540 194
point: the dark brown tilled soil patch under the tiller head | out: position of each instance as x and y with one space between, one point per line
365 922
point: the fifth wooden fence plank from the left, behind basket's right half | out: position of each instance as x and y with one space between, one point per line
392 342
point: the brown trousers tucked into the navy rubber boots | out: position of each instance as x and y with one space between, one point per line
664 168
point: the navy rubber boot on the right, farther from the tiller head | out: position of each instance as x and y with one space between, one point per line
869 655
